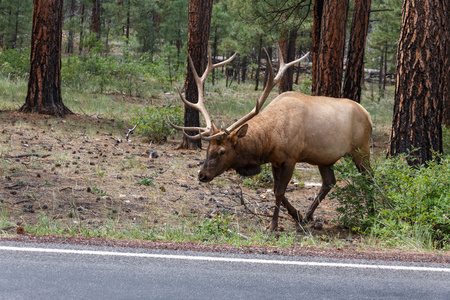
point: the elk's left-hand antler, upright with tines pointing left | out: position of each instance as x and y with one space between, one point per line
200 106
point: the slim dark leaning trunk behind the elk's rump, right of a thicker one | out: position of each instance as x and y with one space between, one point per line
354 74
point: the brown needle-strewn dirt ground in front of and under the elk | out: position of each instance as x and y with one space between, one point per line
82 170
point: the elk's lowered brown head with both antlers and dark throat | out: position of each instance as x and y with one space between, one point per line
221 154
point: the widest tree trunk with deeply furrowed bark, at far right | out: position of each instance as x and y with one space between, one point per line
416 124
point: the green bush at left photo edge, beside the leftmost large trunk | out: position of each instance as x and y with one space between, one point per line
15 63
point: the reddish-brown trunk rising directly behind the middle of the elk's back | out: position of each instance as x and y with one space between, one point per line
331 48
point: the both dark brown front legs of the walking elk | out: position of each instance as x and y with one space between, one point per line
282 175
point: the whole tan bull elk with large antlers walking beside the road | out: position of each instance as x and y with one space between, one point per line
293 128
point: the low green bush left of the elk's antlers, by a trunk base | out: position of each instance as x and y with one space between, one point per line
152 122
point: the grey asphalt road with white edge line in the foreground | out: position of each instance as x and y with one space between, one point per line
39 271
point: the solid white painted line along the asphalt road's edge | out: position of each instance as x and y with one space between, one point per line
223 259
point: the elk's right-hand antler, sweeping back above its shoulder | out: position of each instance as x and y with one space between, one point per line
272 81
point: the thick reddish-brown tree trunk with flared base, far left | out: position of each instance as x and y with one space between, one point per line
44 84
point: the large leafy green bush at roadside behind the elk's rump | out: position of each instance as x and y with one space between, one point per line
403 197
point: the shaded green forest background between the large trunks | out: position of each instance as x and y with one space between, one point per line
156 33
